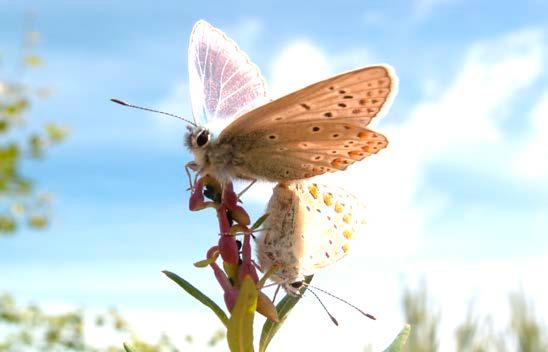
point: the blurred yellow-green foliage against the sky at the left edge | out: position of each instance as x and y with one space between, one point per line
22 140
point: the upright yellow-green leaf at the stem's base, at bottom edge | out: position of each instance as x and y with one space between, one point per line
240 326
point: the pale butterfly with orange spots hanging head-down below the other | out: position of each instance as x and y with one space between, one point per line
309 226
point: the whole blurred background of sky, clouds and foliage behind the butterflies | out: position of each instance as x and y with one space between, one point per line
93 200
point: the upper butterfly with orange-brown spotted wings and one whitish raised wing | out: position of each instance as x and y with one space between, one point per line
238 134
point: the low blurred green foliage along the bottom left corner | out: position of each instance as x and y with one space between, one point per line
29 328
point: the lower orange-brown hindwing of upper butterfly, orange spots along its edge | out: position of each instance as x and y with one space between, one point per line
305 149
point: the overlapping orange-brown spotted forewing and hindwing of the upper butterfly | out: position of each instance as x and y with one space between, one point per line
318 129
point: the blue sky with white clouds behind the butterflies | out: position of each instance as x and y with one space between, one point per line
459 197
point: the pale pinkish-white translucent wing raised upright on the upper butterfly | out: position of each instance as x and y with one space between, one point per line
224 83
